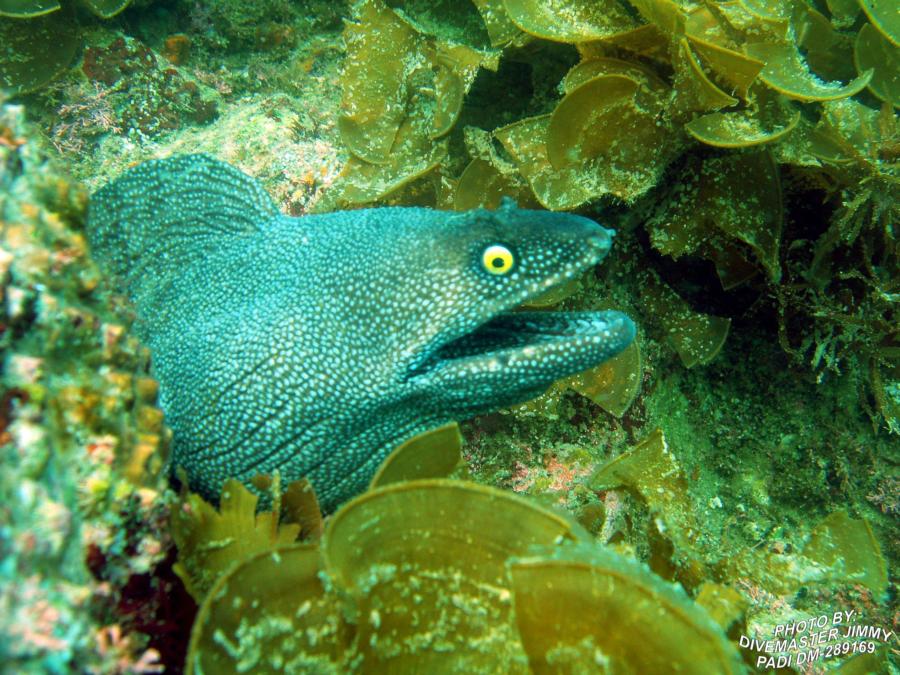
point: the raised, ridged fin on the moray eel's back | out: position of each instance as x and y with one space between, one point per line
165 214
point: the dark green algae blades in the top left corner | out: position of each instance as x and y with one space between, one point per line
39 39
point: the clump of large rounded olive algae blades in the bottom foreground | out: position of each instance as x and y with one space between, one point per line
445 575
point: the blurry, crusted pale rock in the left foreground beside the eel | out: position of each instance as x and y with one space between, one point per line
83 443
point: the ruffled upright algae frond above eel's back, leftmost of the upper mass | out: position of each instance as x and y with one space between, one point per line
403 90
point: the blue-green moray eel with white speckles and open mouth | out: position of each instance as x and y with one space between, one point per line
314 345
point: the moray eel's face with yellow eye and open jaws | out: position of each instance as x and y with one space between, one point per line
482 353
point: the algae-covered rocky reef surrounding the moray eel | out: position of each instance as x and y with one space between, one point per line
733 471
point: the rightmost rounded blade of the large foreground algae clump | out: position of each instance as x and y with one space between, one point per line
586 610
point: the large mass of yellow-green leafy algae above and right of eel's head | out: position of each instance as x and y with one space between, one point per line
717 118
